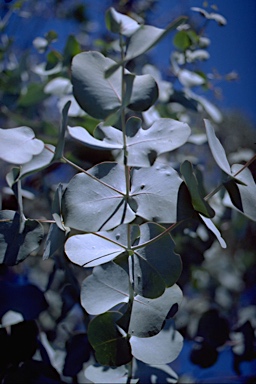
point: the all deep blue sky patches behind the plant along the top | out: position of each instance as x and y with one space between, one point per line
233 47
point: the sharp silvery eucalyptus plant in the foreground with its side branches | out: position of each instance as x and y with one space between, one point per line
117 217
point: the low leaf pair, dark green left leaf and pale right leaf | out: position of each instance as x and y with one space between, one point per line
108 341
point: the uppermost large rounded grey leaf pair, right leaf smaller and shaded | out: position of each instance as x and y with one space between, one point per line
101 97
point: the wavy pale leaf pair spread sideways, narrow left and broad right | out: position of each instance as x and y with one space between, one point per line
163 136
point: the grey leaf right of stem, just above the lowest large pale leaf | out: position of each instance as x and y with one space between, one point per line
148 315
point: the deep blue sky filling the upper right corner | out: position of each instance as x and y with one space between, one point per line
233 48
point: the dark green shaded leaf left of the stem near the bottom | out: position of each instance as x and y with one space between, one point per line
107 341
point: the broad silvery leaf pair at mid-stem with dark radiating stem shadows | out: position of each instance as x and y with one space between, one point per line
96 200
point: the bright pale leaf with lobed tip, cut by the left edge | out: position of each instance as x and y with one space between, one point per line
19 145
